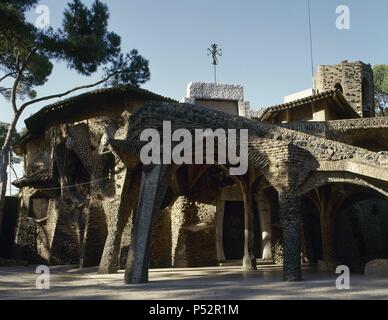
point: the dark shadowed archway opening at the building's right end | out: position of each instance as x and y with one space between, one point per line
353 224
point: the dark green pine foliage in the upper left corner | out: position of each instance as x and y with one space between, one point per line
83 42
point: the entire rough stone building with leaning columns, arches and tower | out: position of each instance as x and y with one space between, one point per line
315 191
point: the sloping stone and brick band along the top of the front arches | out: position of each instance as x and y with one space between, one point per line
263 138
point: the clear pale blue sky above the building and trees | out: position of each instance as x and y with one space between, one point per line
265 43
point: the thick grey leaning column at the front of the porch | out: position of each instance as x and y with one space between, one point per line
152 191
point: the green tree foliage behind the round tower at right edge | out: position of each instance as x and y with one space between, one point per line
381 87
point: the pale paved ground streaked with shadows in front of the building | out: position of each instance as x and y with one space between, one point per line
203 283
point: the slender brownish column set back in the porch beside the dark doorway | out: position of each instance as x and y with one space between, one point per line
249 259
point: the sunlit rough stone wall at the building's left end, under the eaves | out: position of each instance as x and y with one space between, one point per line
75 228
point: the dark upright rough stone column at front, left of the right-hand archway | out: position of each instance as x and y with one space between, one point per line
291 220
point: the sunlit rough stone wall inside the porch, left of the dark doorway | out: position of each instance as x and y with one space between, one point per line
184 234
